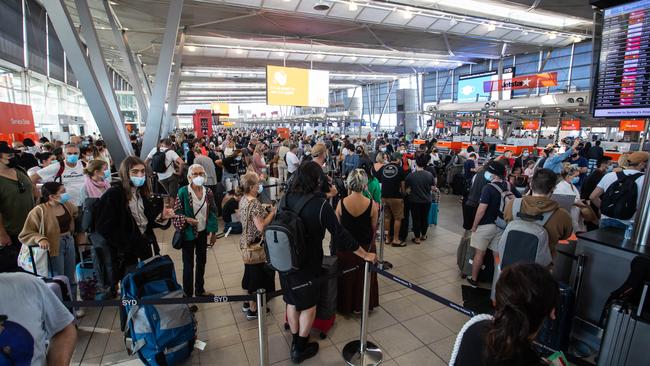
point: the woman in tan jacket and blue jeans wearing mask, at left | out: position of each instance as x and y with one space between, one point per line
51 225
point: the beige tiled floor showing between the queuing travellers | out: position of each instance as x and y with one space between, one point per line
409 328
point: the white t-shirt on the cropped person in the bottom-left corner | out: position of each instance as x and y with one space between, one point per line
34 321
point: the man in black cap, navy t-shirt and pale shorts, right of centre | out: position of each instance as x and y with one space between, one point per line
488 222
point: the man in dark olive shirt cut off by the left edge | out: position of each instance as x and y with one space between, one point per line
17 196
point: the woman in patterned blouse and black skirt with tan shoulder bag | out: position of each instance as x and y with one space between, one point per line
254 218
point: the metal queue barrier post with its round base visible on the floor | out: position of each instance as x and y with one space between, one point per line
361 352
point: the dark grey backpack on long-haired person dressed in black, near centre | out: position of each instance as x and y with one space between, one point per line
284 238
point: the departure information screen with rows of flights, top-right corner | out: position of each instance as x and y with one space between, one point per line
623 81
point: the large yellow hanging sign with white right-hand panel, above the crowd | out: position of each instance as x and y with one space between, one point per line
292 86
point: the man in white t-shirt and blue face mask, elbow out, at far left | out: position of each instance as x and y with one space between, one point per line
70 173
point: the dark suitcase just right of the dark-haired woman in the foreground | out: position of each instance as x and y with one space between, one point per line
555 334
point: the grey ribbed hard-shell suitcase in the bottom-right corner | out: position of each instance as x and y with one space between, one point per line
627 335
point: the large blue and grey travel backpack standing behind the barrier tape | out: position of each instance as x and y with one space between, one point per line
160 334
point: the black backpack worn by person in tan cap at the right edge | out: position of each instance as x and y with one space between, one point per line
619 200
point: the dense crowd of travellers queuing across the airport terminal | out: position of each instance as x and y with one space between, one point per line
65 197
